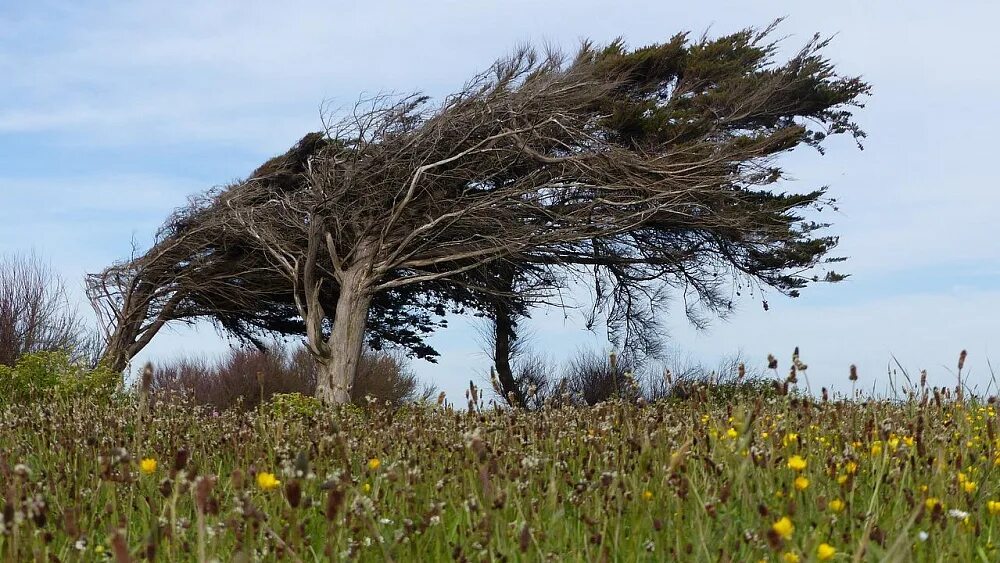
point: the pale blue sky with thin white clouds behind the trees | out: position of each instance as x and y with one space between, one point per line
113 113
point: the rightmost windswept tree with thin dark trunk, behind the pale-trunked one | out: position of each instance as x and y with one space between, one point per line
692 98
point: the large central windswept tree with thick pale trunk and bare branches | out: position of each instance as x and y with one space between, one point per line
555 162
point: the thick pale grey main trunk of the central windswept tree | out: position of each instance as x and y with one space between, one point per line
337 371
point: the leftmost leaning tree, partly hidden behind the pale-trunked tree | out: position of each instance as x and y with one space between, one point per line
201 267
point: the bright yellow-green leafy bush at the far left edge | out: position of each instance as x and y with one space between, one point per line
45 375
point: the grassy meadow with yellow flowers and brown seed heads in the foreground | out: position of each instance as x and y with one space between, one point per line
769 478
